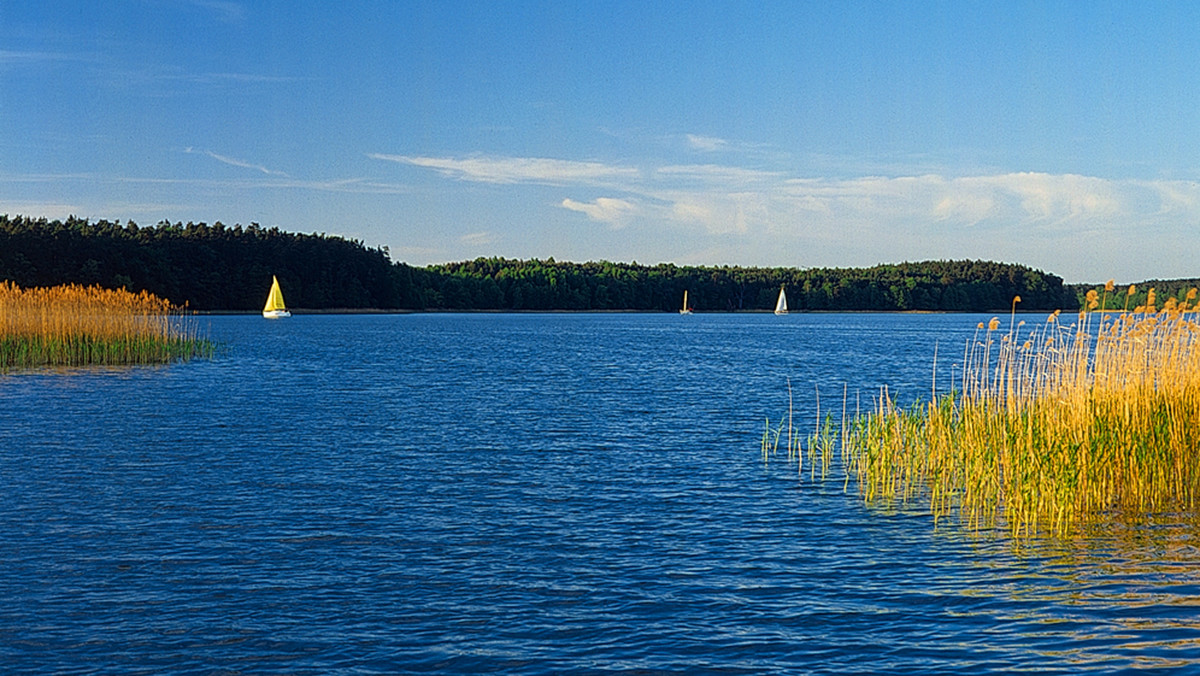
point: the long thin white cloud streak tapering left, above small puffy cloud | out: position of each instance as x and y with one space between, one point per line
518 170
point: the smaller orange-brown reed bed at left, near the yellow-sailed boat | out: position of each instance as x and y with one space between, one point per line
76 326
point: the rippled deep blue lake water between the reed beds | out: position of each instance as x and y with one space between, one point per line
529 494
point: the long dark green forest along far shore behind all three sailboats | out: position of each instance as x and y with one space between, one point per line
229 268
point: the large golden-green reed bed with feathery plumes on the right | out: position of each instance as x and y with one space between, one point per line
1048 430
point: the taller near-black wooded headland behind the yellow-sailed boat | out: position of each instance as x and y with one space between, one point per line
207 267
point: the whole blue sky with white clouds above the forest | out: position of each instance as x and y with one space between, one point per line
1057 135
